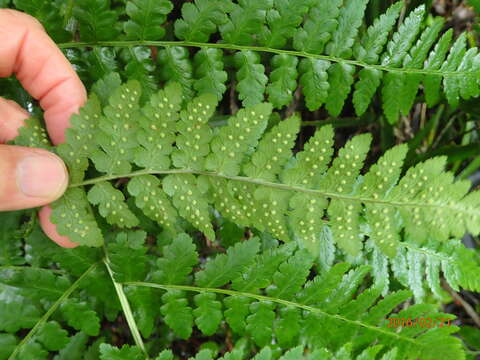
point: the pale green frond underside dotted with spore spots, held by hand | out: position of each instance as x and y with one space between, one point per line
180 167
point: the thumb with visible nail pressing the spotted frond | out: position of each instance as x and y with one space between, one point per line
30 177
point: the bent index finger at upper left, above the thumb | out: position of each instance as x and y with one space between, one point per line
27 51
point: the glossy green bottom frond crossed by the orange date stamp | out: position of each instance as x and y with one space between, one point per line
328 311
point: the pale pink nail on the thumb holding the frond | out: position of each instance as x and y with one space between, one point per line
42 176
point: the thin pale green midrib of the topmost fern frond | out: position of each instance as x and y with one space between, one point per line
261 49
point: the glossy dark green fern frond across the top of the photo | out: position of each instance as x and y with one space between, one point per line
314 32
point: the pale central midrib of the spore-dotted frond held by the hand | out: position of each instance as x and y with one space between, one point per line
280 187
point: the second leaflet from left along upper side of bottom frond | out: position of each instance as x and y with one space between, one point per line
228 267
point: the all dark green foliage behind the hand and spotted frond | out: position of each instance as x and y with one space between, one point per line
320 60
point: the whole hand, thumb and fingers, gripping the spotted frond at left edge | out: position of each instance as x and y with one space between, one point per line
34 177
